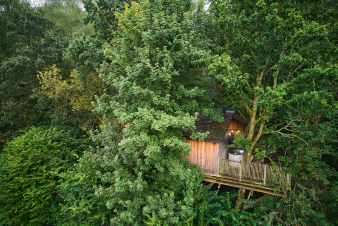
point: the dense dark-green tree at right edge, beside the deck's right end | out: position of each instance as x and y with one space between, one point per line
308 143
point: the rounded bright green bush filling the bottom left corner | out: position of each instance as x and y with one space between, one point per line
31 166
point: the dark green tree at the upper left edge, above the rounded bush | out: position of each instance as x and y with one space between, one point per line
28 44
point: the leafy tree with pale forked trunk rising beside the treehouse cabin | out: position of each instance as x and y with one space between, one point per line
261 47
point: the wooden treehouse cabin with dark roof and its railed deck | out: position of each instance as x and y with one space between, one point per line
223 164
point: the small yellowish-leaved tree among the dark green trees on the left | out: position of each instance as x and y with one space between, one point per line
68 101
